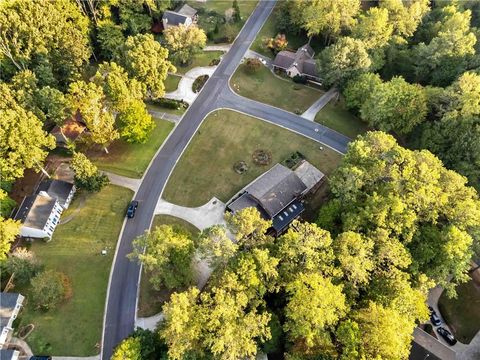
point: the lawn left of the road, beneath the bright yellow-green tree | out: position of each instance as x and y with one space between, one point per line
132 159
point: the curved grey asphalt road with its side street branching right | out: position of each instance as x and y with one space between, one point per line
122 291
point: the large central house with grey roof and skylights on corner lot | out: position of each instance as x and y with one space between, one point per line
277 193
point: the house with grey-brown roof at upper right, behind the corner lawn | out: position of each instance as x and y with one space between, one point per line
299 63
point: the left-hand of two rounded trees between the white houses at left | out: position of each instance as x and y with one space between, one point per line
23 265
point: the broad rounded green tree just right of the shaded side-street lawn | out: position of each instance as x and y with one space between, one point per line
395 106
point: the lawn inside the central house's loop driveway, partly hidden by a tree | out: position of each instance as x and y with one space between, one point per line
150 301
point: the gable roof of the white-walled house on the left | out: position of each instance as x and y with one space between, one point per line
35 211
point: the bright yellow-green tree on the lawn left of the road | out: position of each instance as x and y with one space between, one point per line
135 122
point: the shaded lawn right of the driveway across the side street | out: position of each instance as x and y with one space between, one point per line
336 116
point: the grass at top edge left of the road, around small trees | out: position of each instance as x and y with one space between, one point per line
214 11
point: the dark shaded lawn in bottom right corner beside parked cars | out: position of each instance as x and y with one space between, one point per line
463 313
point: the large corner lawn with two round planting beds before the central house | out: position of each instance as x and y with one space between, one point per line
206 167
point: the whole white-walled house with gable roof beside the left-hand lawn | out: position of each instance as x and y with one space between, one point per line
39 215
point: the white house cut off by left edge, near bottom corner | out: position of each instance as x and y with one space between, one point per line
10 305
